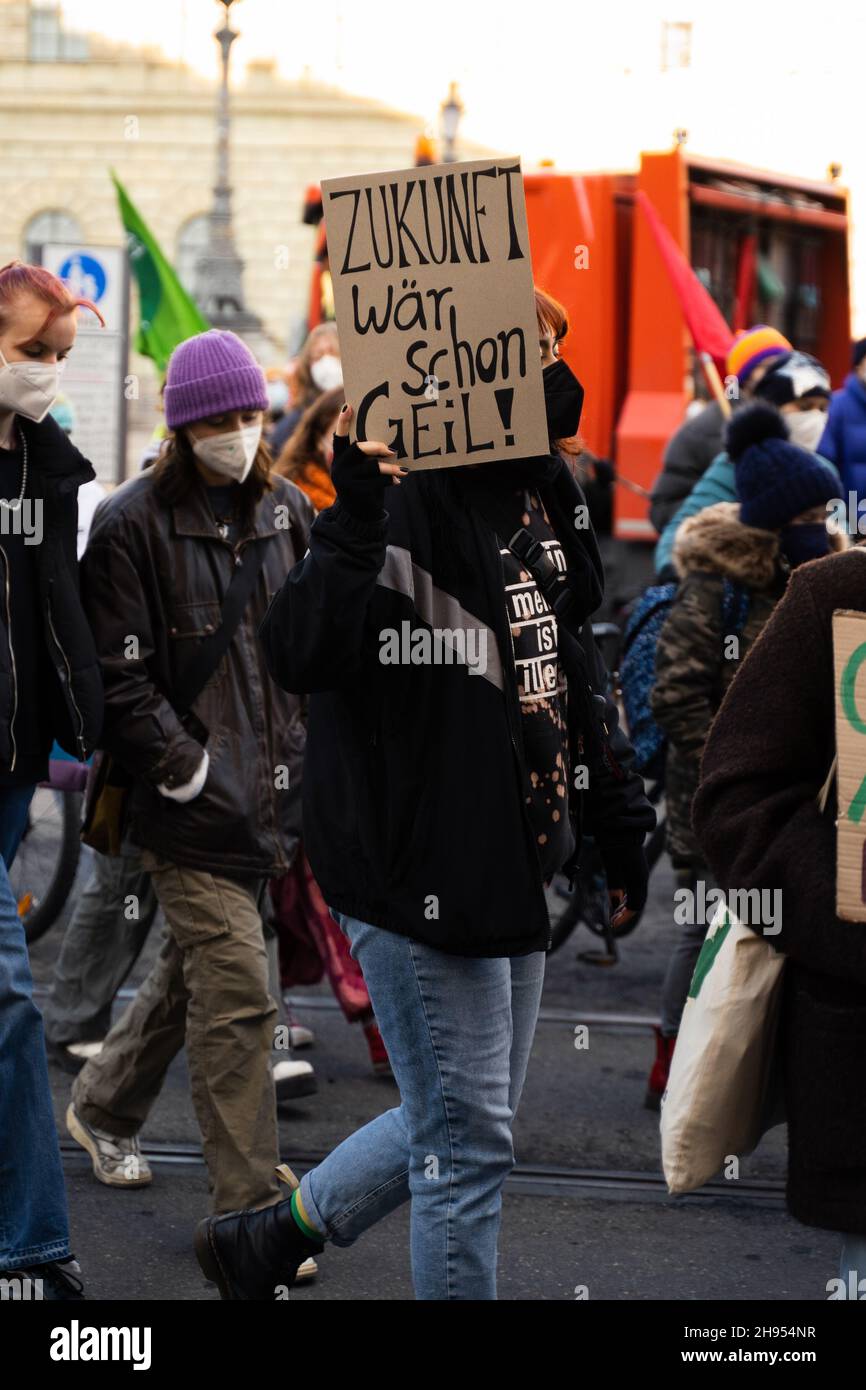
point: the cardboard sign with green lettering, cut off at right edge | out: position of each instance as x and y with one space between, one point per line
850 683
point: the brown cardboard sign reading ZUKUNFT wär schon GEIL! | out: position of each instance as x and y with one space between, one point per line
433 288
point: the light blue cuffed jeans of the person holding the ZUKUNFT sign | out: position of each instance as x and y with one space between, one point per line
459 1032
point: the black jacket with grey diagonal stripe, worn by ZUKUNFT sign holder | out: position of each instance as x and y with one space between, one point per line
415 801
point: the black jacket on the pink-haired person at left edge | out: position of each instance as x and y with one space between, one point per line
74 700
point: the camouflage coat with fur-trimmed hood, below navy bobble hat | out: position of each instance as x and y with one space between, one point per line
693 671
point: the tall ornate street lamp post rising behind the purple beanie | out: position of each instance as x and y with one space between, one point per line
219 277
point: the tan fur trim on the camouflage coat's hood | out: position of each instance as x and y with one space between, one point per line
718 540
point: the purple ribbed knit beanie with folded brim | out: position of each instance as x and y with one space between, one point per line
212 373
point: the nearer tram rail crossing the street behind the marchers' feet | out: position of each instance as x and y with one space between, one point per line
526 1179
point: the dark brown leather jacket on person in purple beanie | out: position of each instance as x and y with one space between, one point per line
159 575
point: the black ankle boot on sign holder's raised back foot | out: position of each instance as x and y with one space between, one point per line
250 1254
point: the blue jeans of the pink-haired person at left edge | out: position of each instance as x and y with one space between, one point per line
33 1196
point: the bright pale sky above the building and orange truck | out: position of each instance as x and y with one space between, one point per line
774 84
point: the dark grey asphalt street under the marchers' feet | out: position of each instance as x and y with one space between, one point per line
586 1214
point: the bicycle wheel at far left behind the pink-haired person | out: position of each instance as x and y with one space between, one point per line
47 864
